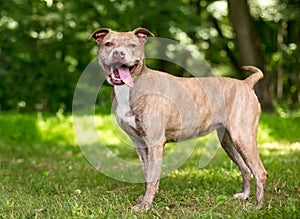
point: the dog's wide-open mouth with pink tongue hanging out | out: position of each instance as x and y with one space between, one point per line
120 74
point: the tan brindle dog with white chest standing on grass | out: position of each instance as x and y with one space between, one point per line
155 108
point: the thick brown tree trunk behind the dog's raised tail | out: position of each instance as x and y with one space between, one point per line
249 47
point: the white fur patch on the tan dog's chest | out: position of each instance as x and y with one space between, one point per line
123 111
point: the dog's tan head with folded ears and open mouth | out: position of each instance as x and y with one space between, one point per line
121 54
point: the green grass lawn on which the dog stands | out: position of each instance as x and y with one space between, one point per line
43 174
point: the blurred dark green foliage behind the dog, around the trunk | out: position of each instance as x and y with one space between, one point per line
44 47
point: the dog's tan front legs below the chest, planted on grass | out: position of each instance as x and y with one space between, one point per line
151 160
